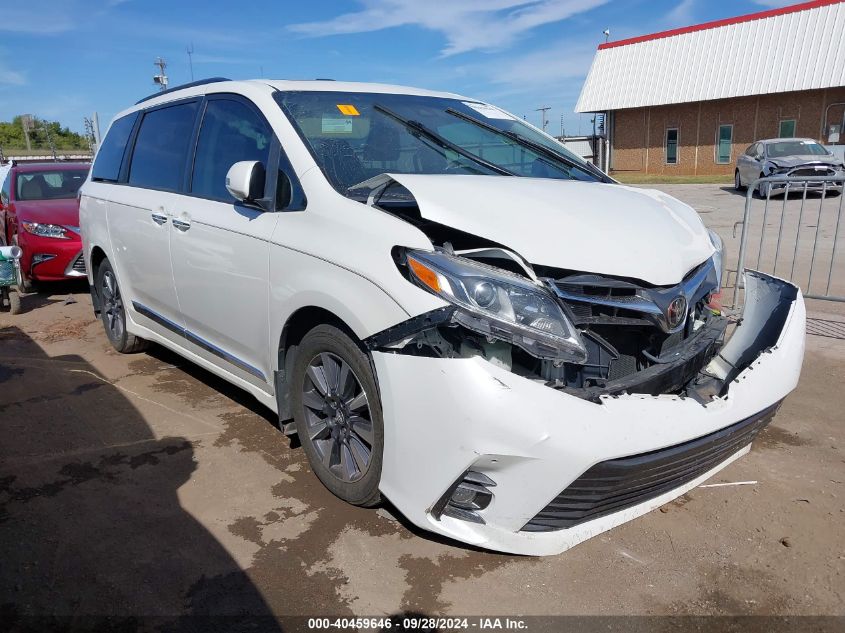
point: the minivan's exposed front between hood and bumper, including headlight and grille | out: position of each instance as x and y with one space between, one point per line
583 334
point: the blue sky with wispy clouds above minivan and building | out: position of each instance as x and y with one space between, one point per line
62 60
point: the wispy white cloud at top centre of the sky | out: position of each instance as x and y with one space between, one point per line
467 25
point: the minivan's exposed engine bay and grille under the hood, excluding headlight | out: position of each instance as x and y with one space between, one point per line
636 337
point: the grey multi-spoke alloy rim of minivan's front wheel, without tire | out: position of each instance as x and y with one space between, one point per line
338 418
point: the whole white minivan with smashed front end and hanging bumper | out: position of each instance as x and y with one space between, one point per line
450 309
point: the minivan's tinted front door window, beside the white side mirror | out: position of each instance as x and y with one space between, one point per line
231 132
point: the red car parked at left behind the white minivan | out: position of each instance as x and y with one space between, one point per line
39 210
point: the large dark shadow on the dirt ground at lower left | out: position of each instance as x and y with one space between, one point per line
90 521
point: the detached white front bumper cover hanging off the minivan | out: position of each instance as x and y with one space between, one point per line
445 417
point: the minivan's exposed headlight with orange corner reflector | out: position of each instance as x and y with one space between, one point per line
500 305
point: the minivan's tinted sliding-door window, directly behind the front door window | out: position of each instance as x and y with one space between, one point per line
158 161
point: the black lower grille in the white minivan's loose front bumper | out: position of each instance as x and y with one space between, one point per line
617 484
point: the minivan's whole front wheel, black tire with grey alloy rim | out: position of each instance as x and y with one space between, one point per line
338 414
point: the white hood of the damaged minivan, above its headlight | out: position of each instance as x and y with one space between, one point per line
592 227
